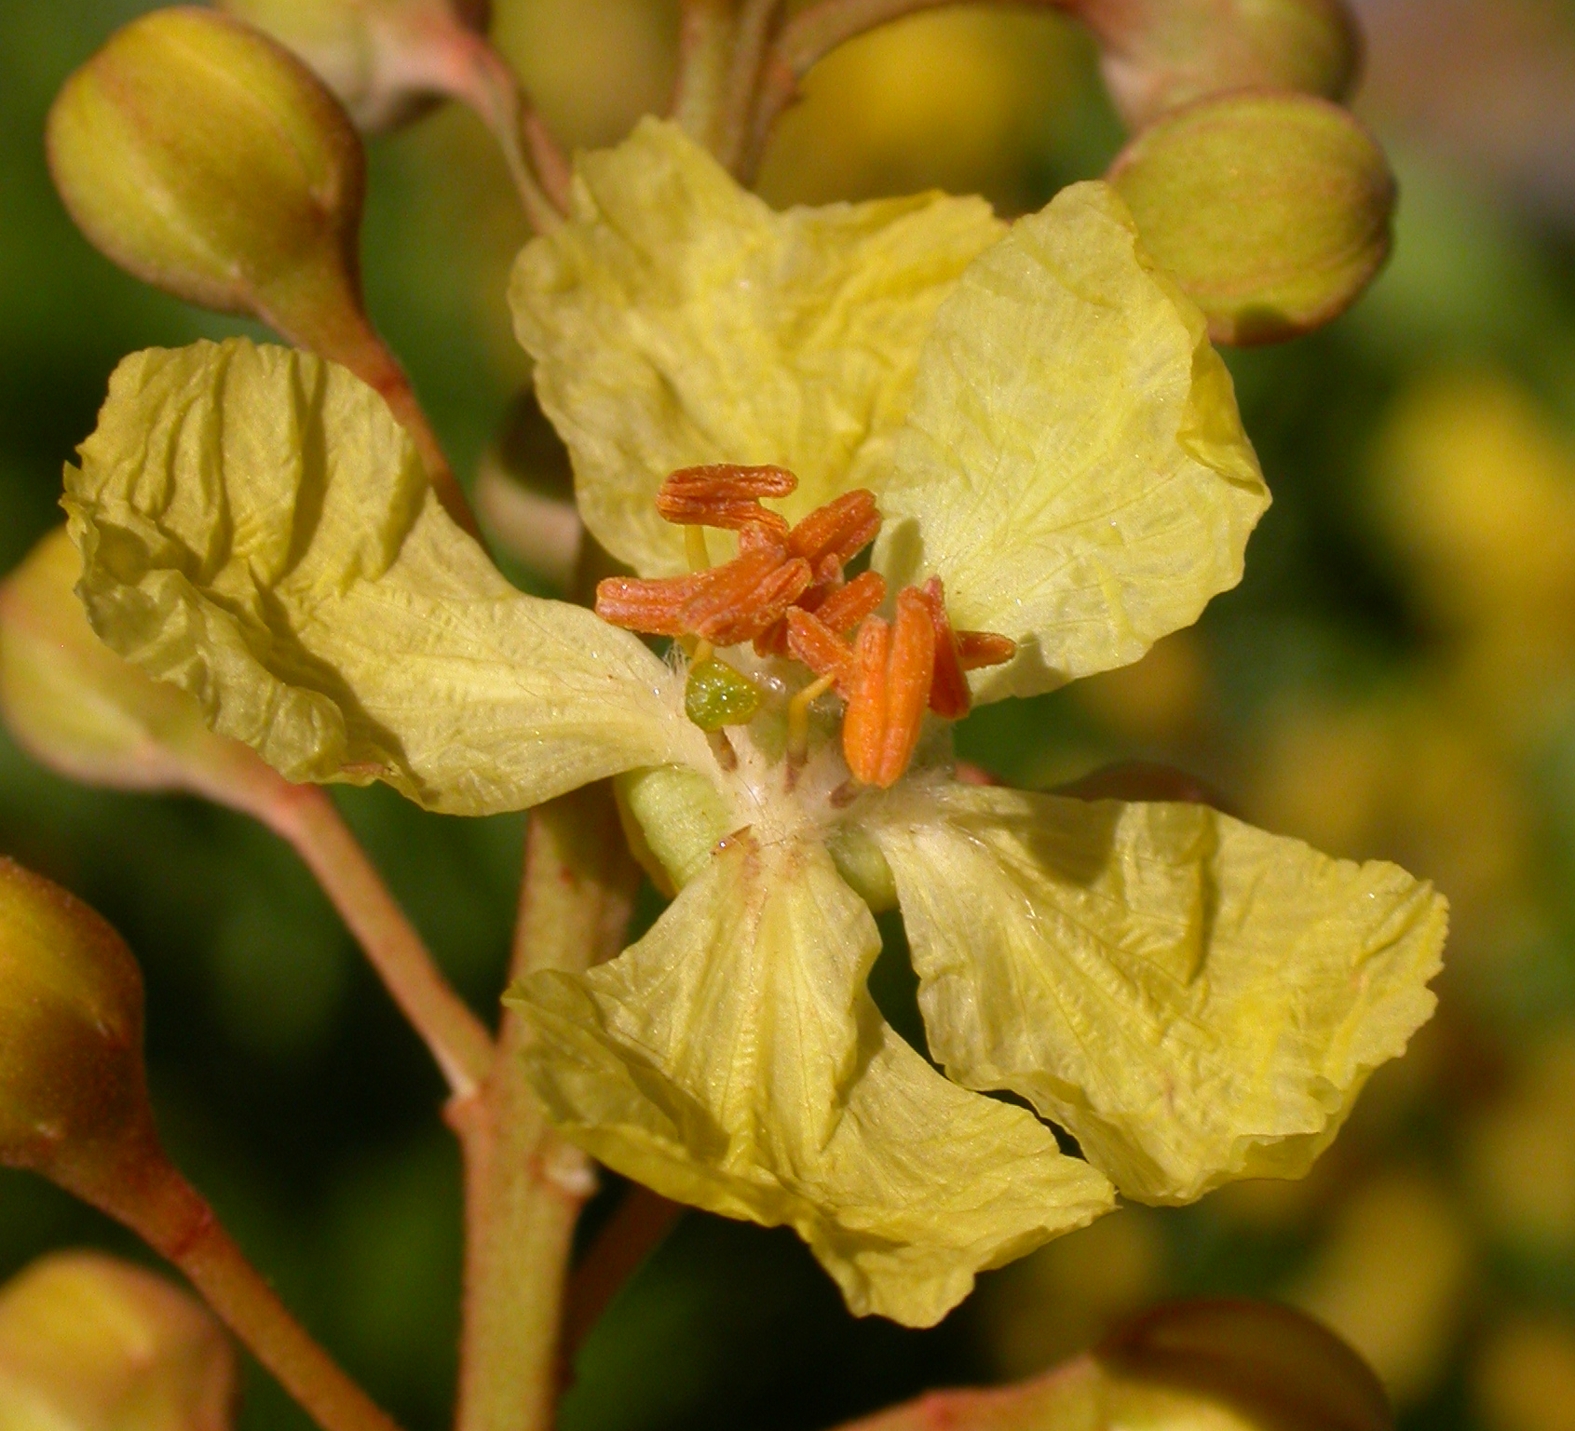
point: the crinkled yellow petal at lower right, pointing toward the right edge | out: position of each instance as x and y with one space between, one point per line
1195 999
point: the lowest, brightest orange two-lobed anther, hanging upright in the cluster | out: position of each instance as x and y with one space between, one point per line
894 668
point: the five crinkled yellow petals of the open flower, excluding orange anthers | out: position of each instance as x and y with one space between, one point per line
1042 423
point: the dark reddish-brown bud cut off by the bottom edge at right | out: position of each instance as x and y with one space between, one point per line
1239 1364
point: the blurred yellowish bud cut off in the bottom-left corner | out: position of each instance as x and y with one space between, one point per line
92 1344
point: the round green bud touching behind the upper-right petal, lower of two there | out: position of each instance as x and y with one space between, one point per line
1273 212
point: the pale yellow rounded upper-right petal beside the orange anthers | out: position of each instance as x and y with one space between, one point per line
1073 464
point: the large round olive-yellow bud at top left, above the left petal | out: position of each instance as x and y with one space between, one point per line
209 161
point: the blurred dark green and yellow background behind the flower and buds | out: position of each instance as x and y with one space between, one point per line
1396 678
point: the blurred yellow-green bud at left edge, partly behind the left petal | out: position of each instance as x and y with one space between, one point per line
89 714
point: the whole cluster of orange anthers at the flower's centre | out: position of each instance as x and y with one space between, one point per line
787 593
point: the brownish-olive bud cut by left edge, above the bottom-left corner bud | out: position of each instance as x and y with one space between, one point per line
72 1081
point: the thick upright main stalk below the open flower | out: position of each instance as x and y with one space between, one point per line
524 1183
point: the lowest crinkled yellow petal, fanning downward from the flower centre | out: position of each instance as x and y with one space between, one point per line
733 1060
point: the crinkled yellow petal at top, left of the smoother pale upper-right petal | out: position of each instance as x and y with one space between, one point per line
680 320
